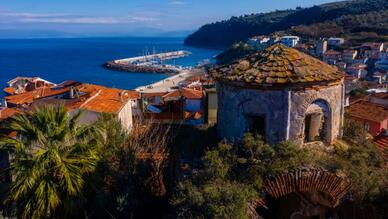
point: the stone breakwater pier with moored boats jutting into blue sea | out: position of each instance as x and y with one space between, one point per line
152 63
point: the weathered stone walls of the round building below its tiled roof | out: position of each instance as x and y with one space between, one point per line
284 111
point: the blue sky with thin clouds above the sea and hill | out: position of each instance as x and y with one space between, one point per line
126 16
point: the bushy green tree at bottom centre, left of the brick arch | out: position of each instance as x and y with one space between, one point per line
213 192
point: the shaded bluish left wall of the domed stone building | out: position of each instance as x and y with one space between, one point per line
235 104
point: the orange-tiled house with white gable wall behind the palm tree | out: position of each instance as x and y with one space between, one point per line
92 99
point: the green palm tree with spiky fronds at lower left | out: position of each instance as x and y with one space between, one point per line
50 159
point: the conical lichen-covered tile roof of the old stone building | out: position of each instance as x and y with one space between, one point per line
277 65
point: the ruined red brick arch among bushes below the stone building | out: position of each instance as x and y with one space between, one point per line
305 193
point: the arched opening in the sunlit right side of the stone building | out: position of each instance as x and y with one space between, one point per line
317 122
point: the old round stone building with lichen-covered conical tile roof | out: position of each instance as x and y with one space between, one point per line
282 94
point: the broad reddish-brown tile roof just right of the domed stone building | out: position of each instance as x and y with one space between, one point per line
368 111
